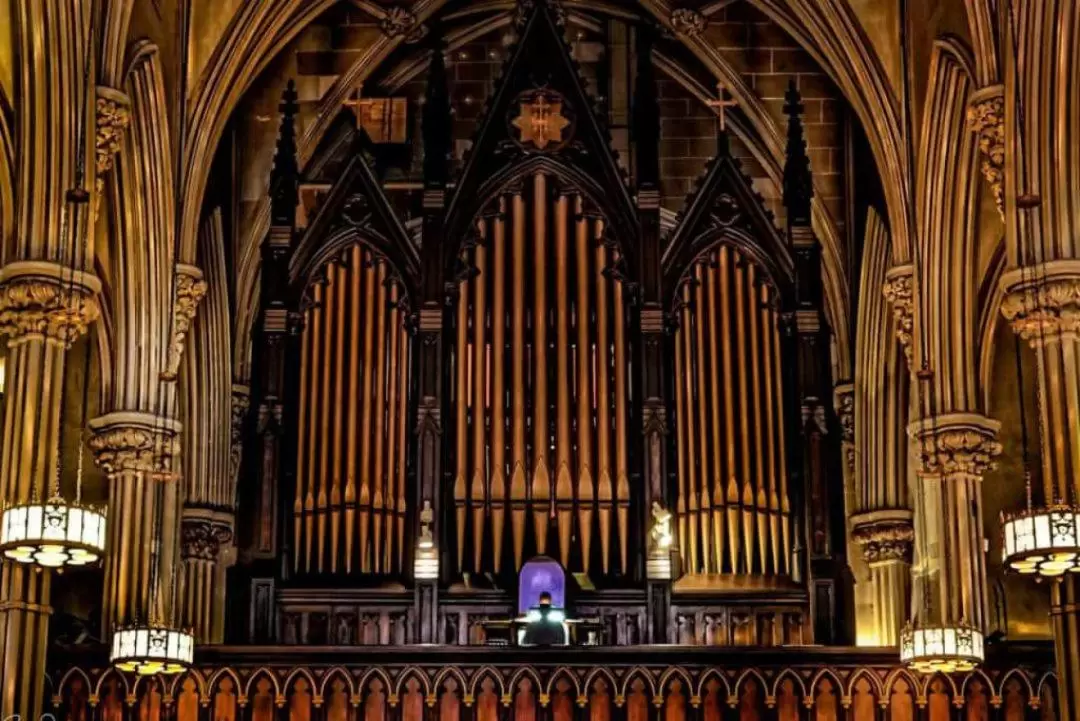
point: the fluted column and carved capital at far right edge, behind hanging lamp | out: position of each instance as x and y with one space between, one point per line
1043 304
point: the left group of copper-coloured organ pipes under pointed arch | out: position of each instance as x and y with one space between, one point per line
349 510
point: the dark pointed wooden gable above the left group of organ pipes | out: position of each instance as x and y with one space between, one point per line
354 207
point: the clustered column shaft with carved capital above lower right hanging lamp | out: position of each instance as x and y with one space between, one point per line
954 452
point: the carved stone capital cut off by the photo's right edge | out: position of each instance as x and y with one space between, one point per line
1043 303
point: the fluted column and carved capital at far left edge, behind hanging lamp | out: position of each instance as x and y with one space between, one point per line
43 311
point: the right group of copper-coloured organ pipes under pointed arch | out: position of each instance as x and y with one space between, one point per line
734 509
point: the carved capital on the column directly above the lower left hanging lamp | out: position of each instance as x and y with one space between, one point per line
136 442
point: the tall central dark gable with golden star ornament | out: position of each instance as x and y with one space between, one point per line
542 117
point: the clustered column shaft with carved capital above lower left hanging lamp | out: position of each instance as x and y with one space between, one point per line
140 455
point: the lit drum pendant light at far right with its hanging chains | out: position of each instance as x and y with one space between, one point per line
1042 540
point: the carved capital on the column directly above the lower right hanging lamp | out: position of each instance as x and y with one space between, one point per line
956 445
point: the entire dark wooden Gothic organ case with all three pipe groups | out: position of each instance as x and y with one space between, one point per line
531 377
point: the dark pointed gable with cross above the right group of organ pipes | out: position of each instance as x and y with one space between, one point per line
726 208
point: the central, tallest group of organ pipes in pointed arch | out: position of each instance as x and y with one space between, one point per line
541 392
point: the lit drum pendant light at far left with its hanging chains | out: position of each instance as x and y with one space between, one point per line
51 533
